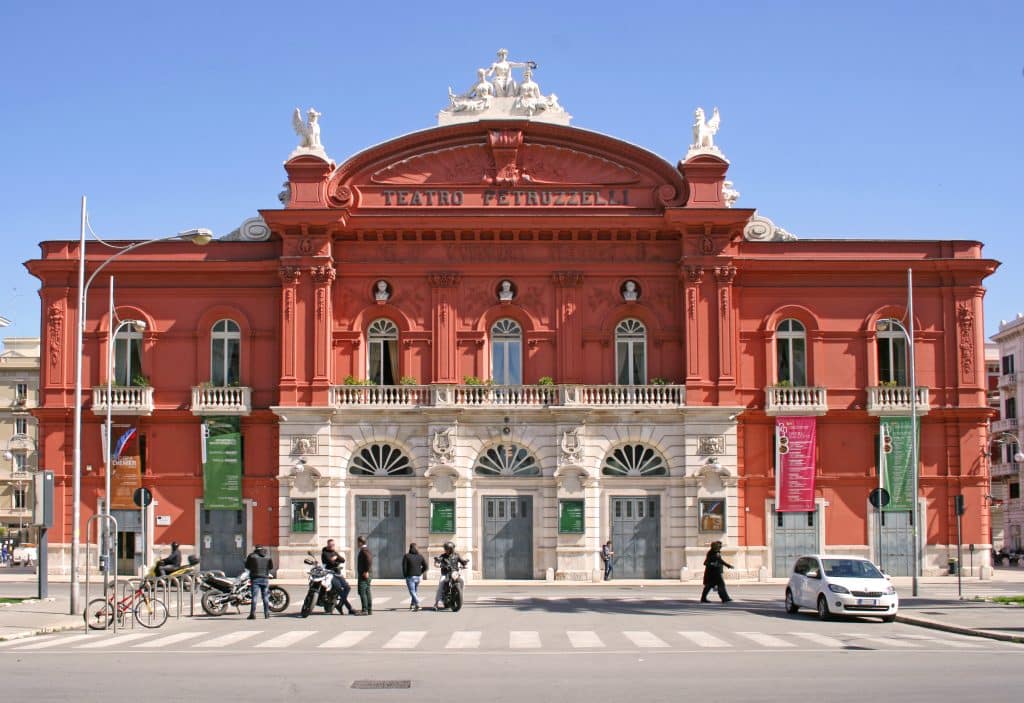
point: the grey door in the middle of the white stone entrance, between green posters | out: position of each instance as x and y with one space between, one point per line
508 538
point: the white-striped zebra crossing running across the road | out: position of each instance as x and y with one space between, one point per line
523 641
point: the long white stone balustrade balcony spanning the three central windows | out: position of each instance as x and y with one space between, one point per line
507 397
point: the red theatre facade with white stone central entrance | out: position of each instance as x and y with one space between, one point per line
570 340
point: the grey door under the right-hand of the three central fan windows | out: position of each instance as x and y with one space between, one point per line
636 537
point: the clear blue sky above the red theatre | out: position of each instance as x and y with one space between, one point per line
855 120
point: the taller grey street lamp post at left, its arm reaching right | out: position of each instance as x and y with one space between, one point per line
197 237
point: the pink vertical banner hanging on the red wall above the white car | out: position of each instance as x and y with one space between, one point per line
795 450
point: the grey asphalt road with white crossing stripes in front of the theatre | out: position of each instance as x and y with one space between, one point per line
541 645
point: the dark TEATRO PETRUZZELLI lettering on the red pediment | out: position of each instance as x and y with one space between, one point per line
506 198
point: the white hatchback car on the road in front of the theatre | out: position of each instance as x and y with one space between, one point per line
841 586
